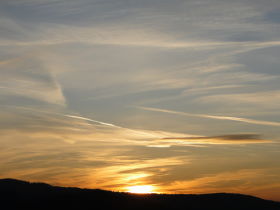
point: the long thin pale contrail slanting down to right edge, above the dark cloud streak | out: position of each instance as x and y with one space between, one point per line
239 119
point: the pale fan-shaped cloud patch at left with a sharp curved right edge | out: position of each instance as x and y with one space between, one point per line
27 77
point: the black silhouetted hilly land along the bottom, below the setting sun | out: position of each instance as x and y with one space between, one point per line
15 194
